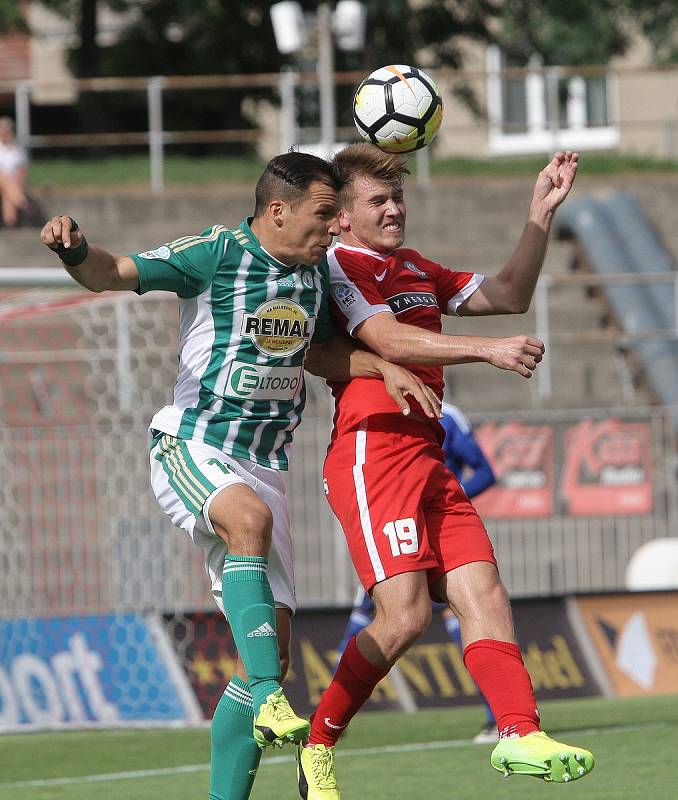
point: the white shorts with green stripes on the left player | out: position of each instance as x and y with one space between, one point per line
187 475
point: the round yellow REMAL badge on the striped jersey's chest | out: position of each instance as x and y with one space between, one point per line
279 327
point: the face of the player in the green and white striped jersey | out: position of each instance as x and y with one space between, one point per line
311 225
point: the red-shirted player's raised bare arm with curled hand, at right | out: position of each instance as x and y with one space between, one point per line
511 290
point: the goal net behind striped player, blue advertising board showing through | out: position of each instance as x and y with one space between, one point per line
100 595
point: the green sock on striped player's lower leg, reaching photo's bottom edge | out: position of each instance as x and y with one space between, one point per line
235 754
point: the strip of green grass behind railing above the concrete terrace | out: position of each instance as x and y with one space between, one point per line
180 170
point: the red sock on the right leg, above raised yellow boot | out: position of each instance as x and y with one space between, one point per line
499 672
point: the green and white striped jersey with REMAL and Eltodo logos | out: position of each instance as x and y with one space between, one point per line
246 320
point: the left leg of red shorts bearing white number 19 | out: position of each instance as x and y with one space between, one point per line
378 501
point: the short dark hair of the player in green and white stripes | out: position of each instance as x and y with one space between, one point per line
288 176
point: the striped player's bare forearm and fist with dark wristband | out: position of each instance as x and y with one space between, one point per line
92 267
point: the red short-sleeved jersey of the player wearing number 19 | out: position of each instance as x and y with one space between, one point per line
416 290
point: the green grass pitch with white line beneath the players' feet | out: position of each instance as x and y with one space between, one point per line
633 740
